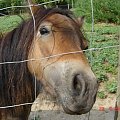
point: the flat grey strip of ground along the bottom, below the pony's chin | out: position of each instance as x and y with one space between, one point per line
56 115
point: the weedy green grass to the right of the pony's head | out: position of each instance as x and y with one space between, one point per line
104 61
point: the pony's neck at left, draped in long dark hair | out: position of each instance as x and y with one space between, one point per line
16 82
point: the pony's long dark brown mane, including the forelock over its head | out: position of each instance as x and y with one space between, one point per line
16 83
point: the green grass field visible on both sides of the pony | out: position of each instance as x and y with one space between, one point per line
104 61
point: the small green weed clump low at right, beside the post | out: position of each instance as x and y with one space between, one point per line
111 86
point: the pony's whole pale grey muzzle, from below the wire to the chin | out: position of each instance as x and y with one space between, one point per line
75 86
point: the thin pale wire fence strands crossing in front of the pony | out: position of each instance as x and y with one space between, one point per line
91 49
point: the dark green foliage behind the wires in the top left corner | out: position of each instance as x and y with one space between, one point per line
16 10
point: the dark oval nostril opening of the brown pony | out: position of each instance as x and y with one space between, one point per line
77 87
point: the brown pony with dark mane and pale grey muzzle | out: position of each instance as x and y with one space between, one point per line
67 76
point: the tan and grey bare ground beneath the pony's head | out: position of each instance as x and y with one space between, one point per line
45 108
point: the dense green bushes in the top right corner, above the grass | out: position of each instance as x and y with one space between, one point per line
104 10
